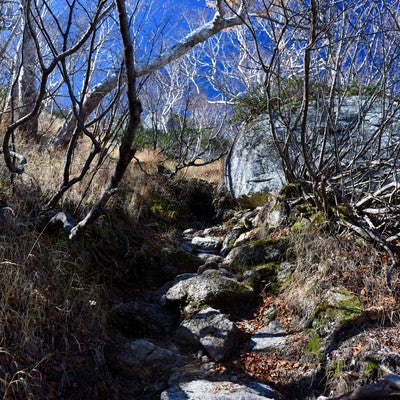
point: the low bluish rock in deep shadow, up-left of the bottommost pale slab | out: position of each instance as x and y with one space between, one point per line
141 359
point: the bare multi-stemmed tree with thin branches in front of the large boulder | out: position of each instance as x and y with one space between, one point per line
330 92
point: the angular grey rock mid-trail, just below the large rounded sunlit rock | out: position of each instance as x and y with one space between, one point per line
211 329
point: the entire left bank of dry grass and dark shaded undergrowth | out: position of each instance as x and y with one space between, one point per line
55 292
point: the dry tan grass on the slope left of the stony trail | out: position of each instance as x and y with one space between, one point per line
54 294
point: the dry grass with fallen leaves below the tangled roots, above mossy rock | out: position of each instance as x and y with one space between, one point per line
326 258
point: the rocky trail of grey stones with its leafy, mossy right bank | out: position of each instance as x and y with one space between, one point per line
242 322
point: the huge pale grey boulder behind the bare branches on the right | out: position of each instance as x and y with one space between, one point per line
254 166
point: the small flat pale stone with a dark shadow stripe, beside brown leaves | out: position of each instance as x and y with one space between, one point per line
268 337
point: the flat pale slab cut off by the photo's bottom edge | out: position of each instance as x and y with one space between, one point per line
224 390
